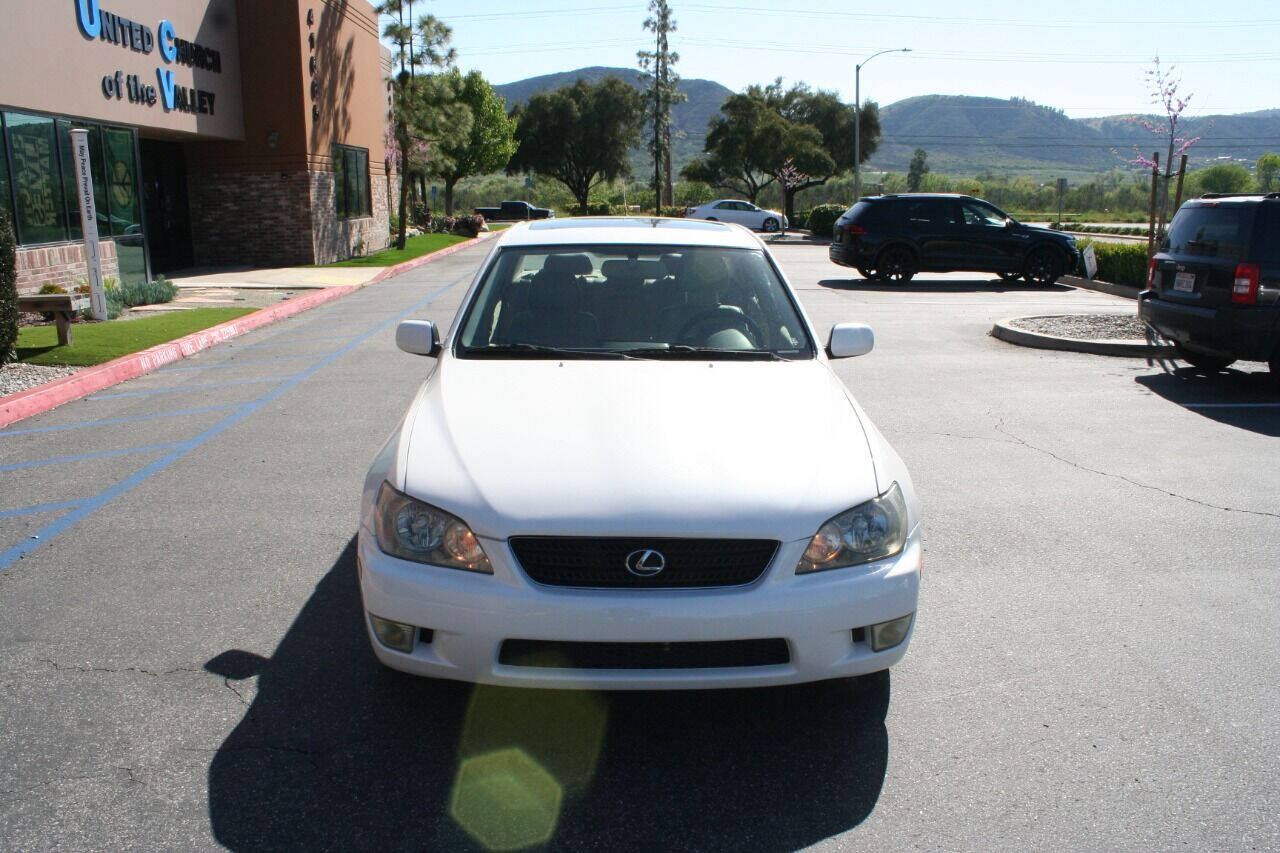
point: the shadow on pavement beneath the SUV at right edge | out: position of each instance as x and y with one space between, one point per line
1241 399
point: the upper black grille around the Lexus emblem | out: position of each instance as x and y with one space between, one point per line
589 562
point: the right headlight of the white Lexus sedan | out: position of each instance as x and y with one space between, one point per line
870 532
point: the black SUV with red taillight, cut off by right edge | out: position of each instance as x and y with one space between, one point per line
1214 288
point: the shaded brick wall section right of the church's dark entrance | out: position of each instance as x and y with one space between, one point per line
250 220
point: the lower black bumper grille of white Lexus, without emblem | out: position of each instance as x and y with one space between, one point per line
644 656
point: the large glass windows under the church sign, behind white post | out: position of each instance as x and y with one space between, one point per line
38 180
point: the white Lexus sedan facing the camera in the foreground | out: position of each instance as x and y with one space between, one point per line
632 466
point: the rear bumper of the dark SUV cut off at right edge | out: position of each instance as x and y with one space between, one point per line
1236 332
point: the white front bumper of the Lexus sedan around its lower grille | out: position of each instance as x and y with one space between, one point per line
470 617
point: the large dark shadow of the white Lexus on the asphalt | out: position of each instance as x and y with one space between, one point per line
339 752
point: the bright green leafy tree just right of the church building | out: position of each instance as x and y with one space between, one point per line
490 144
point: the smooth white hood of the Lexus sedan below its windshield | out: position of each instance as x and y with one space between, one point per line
637 448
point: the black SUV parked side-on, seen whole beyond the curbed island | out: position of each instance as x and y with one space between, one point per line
895 238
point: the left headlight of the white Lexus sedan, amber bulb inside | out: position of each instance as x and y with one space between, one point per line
414 531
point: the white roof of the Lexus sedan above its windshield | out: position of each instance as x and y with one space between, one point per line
651 231
